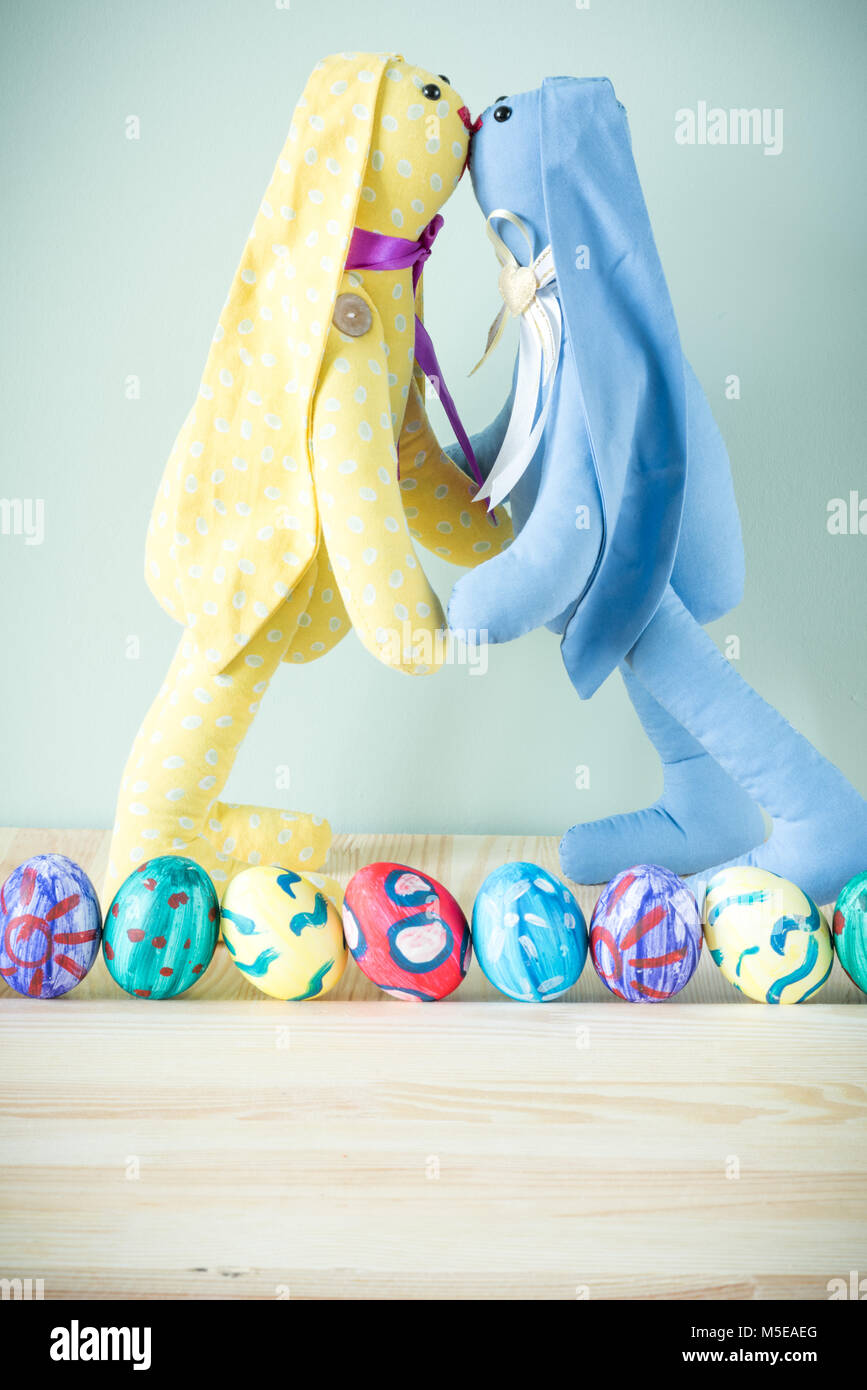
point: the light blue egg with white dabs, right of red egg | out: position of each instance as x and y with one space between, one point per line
529 932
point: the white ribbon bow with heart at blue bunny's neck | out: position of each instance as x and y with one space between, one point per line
530 294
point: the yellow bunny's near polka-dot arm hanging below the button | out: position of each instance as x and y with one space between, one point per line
384 589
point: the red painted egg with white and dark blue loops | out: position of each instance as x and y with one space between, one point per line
406 932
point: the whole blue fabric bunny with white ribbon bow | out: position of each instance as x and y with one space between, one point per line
612 511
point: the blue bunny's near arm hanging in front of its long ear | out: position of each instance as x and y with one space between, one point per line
551 561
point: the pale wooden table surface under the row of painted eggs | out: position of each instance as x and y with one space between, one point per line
229 1146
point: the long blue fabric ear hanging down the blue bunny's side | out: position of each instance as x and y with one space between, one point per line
625 338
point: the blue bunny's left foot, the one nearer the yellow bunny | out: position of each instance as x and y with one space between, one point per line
701 817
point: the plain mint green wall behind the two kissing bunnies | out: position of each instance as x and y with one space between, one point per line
117 259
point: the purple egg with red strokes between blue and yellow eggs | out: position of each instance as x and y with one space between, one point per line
645 935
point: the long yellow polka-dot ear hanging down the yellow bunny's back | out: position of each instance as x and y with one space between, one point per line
236 522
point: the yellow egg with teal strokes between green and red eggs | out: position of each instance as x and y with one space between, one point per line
284 933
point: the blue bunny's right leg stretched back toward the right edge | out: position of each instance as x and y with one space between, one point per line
819 822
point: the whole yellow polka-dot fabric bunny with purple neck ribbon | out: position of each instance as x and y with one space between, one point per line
308 468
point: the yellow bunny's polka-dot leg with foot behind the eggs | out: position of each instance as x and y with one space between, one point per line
181 761
